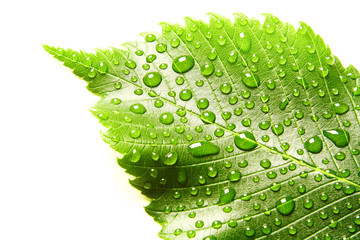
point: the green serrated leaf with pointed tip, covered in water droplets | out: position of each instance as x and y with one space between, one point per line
234 130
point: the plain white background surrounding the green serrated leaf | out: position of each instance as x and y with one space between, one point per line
58 179
